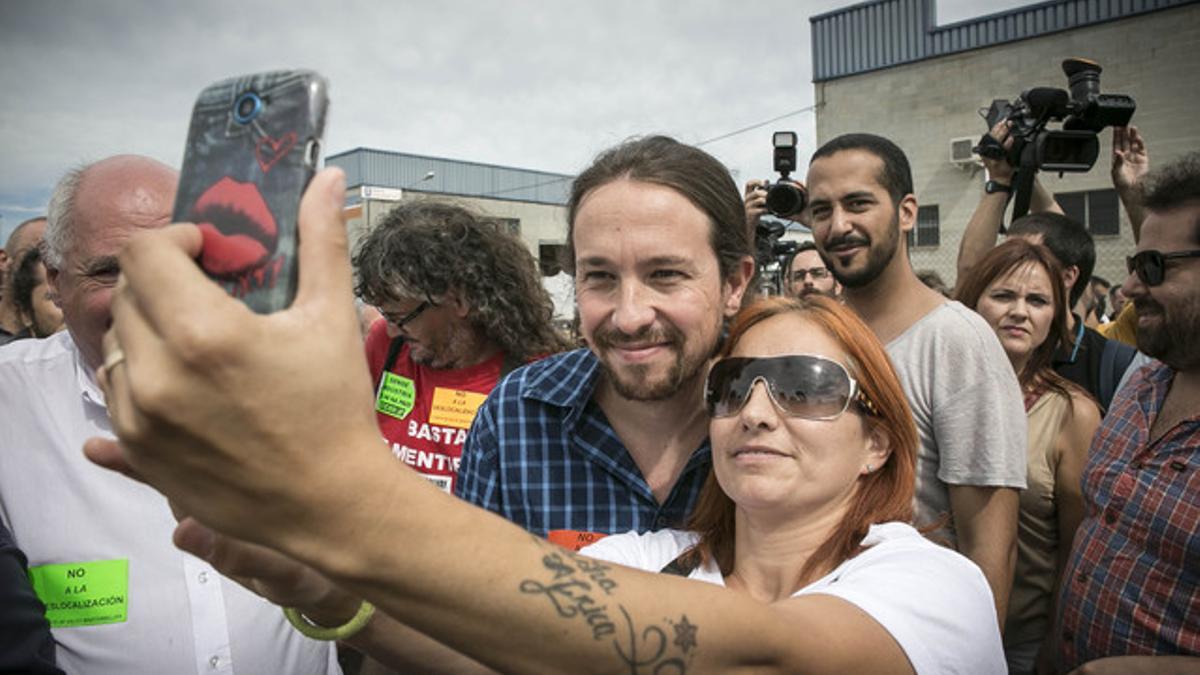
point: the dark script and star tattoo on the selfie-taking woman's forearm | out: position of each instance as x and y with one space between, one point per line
578 587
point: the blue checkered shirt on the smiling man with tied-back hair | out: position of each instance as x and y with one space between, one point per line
543 455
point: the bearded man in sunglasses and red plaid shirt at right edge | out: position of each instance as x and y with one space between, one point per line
1131 595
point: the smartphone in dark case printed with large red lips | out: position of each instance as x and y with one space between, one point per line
253 147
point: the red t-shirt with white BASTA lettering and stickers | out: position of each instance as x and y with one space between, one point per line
424 414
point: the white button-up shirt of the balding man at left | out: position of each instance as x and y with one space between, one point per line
182 616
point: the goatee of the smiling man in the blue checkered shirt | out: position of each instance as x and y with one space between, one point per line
634 381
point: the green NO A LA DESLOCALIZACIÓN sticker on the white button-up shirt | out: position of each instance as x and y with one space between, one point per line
83 594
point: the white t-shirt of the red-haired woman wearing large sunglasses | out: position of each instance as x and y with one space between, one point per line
934 602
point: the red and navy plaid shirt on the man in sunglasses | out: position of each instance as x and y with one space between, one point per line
1133 582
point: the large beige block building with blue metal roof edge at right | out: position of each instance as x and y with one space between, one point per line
887 68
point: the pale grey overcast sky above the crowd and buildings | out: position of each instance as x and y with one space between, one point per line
533 85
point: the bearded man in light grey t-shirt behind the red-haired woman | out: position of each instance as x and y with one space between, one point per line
963 391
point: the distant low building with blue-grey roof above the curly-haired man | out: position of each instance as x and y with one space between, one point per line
531 204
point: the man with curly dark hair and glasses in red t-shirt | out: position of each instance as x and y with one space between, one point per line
464 304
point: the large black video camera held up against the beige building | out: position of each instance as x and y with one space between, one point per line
1084 112
